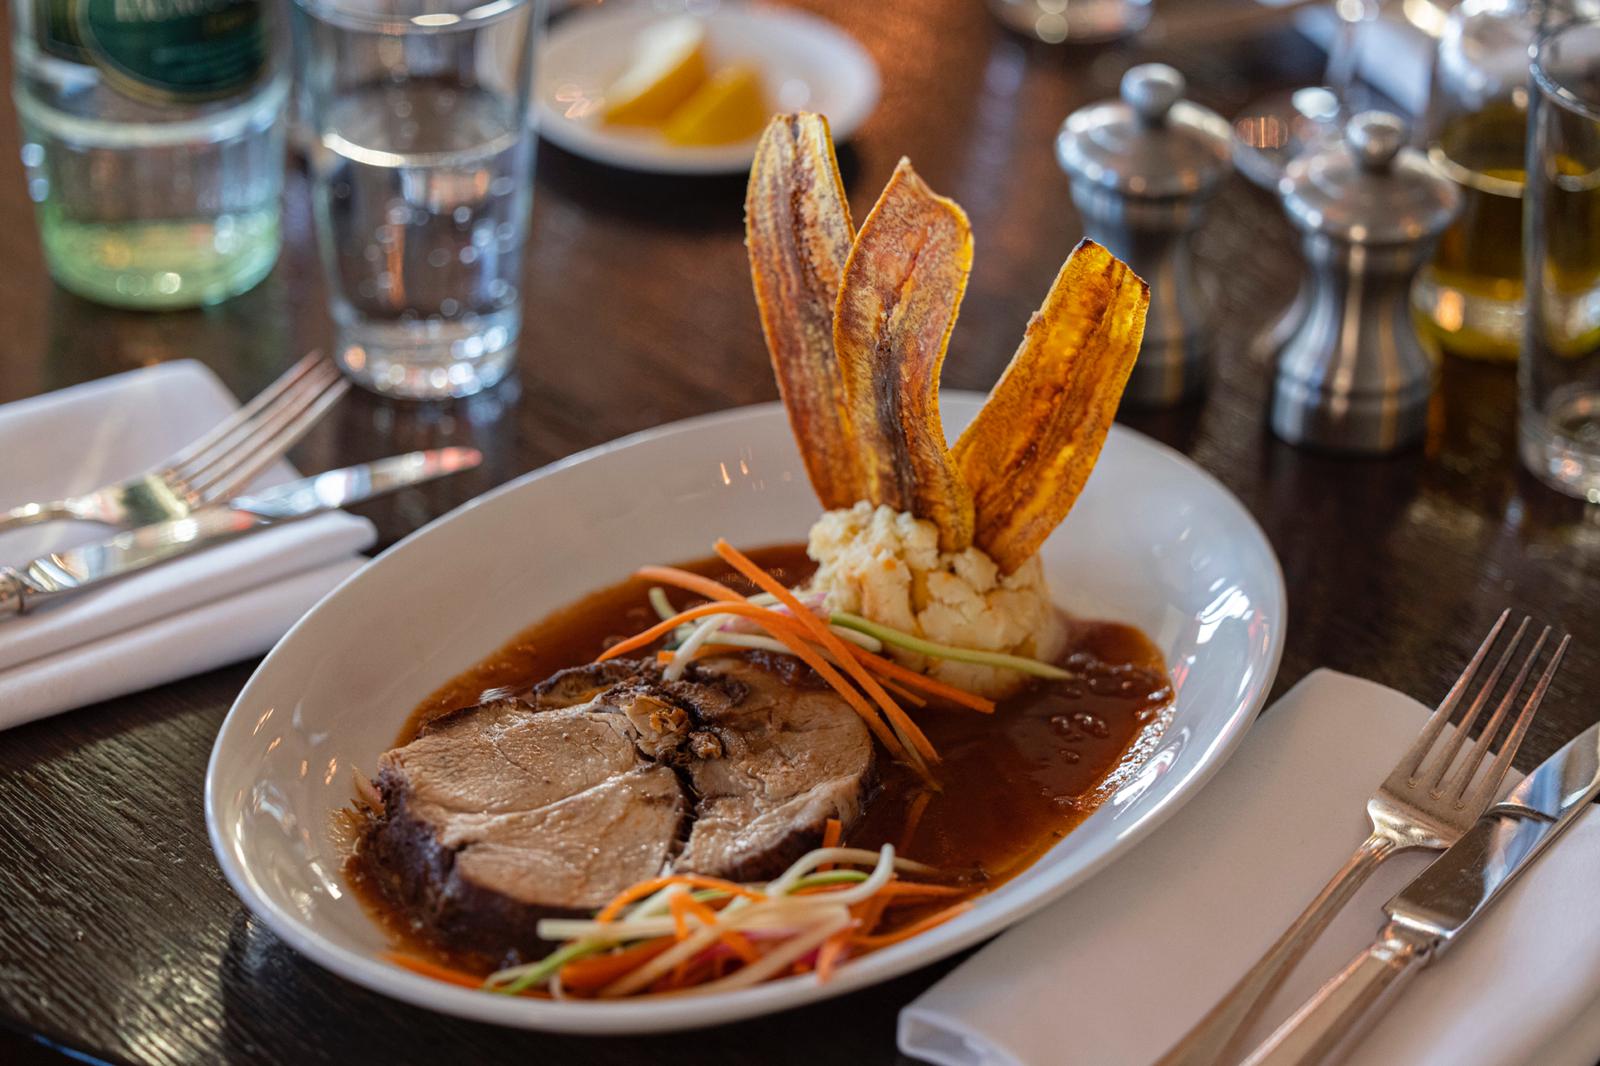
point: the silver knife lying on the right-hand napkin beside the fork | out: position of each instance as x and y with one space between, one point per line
1439 905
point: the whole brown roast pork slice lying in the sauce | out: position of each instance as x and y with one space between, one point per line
602 777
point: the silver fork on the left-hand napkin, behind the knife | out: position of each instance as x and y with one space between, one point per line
214 468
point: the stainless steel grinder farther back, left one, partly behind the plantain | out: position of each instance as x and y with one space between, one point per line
1143 170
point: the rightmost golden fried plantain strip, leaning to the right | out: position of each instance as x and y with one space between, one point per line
1036 441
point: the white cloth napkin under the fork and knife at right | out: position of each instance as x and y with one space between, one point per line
1118 971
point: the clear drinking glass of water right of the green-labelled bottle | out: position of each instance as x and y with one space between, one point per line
423 169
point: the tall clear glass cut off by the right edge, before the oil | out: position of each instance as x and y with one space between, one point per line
1561 348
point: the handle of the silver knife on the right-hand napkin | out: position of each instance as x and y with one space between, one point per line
1332 1024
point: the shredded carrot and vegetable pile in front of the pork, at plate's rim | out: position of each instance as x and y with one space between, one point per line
686 934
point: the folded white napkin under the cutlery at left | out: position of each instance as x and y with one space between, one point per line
175 620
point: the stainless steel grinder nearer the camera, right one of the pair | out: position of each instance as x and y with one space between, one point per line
1351 371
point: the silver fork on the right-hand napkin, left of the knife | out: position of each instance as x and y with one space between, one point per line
1426 803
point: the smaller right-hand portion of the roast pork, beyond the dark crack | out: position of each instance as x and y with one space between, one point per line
791 759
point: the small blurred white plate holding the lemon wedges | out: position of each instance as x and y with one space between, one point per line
807 65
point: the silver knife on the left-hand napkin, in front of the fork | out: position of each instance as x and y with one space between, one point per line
137 550
